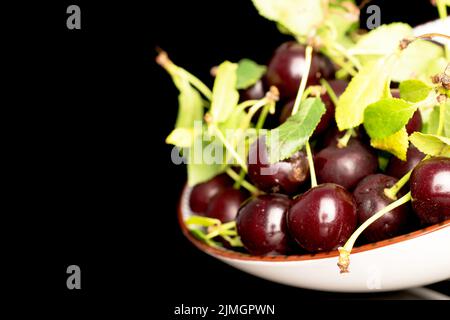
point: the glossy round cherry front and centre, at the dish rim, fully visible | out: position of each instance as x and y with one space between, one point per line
322 218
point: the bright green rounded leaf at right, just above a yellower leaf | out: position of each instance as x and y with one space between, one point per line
387 116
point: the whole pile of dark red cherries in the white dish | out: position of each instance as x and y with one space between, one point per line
291 214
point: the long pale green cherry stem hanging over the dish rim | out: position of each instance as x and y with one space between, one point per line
344 252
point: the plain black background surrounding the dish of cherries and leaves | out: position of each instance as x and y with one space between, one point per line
97 187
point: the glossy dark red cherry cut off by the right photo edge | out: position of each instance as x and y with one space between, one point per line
430 190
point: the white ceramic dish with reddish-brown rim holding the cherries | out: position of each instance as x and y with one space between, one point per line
412 260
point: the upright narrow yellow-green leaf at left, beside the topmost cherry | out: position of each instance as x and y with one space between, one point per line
225 96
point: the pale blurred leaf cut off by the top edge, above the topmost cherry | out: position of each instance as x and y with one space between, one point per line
300 17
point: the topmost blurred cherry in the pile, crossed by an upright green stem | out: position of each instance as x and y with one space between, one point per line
286 67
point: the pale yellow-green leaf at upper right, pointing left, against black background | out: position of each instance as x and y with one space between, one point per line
381 41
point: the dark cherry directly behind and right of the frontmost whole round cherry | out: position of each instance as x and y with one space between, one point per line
345 166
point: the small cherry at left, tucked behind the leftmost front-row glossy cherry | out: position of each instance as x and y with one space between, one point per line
225 205
